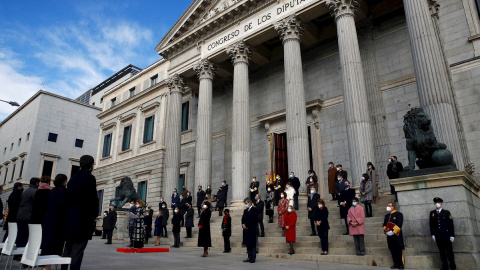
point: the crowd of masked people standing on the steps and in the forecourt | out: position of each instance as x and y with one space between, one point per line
67 214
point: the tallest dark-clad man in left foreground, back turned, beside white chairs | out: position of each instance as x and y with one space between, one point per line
82 210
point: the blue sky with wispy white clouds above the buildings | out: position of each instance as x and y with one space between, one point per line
72 46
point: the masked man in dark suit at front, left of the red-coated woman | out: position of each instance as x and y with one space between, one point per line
249 226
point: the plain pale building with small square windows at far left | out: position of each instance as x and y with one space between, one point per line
46 135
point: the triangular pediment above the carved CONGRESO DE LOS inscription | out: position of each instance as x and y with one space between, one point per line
200 12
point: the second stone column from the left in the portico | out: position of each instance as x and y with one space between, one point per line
203 147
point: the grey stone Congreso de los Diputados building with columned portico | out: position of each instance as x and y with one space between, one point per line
249 86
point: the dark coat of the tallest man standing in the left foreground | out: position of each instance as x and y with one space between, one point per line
82 202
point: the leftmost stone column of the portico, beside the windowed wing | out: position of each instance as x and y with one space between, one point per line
173 135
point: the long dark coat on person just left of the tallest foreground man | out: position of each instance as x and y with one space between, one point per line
53 229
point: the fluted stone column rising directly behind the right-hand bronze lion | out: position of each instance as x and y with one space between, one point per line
435 94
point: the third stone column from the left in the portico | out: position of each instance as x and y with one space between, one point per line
240 54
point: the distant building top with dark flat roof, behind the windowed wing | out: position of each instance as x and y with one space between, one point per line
94 96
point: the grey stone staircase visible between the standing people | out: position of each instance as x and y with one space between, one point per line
341 247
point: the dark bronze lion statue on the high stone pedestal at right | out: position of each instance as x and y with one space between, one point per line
422 145
